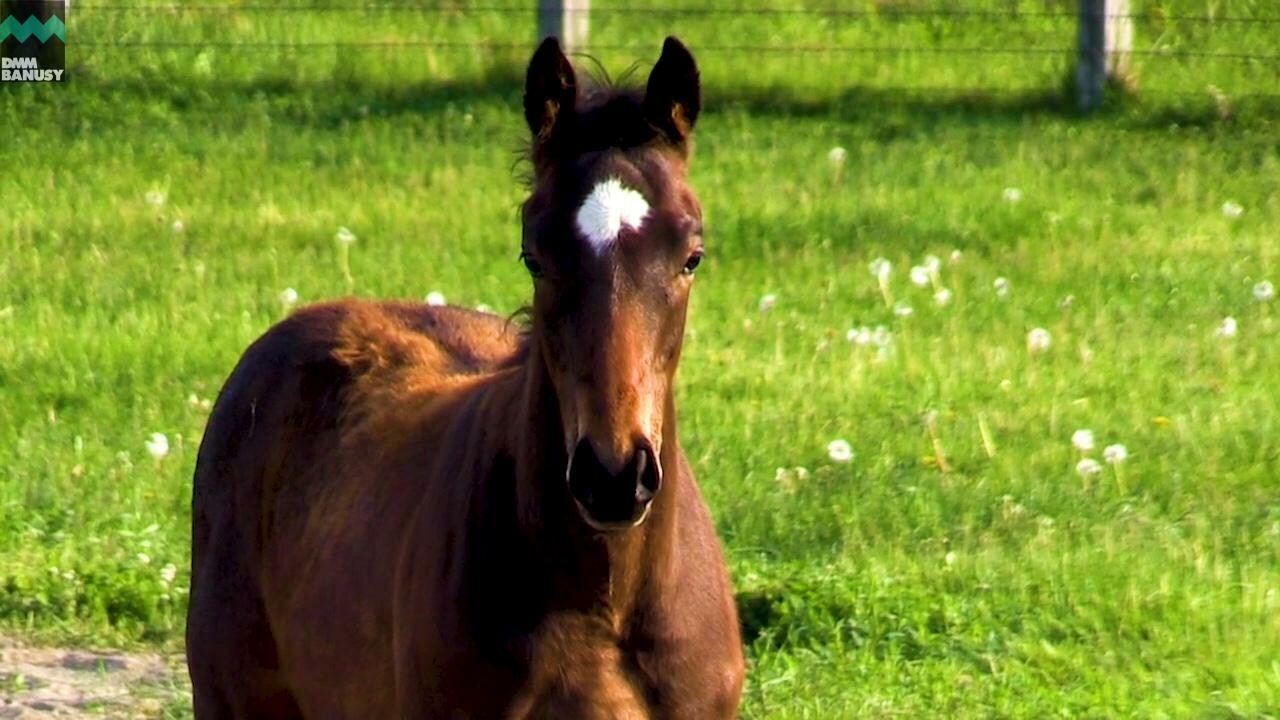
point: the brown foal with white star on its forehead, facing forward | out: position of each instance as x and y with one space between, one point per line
427 513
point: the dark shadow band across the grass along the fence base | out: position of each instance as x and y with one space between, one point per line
337 102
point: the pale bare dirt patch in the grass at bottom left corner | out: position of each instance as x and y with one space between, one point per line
47 682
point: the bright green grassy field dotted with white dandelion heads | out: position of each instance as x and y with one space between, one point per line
962 566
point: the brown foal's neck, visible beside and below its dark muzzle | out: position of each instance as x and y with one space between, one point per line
584 569
